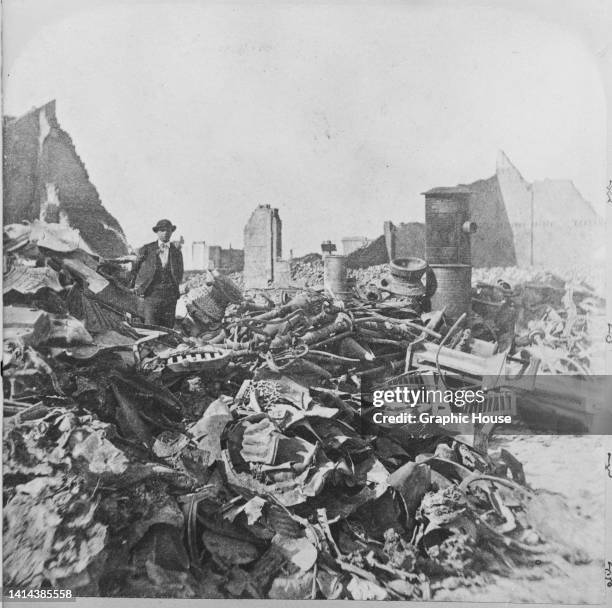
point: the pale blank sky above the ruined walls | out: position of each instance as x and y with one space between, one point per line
339 114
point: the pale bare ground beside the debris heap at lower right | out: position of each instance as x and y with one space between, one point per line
574 467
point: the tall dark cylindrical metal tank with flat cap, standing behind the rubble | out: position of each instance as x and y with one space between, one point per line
448 251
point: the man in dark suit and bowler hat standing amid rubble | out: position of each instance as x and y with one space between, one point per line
158 274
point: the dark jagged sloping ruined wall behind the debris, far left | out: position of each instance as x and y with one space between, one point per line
45 178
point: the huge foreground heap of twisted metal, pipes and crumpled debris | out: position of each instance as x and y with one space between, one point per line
236 456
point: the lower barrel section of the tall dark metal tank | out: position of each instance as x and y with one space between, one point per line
450 286
